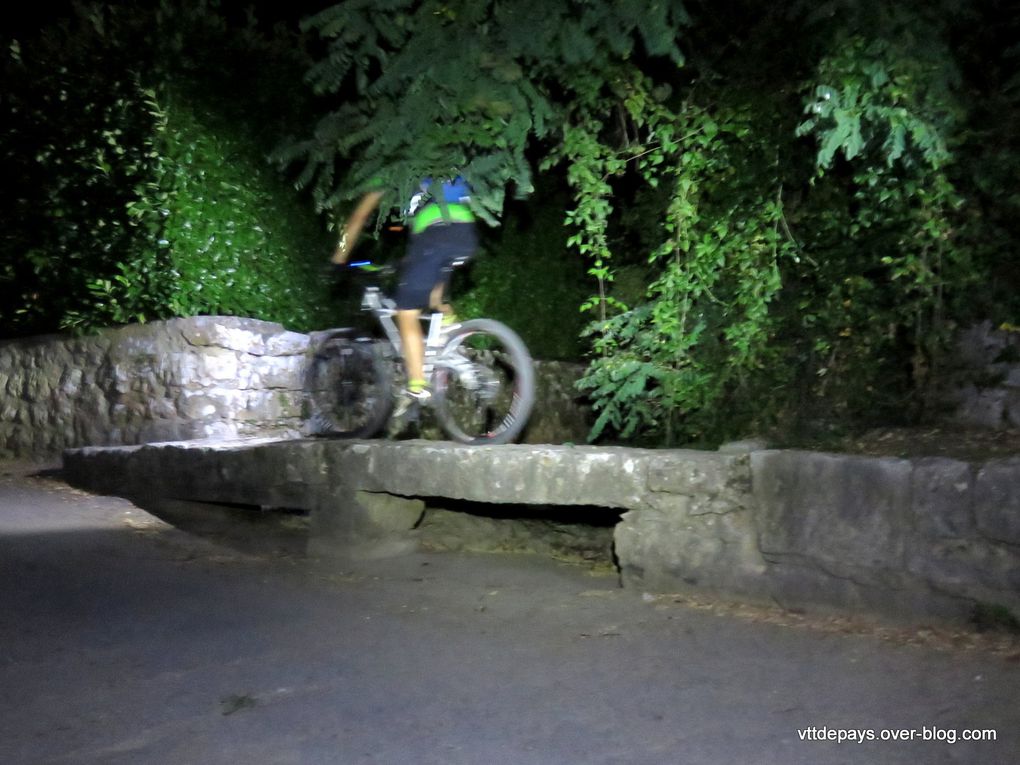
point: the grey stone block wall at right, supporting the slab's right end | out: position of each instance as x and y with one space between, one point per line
911 539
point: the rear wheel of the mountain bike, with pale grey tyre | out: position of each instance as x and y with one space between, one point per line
507 382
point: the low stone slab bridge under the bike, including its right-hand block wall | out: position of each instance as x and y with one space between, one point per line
932 538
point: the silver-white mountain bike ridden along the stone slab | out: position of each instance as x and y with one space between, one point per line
480 373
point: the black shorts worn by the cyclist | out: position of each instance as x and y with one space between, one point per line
430 259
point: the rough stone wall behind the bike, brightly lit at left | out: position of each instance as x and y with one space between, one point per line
191 379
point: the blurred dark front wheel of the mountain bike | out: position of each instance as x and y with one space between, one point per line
349 390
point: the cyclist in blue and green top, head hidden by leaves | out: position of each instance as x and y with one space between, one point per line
442 233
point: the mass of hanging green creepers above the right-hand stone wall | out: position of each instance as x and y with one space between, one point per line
746 327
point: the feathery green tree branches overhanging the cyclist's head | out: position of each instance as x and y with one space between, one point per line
443 87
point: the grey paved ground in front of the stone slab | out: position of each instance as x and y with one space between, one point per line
126 641
